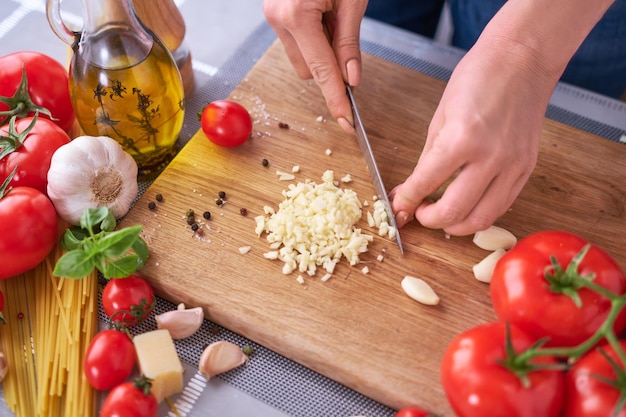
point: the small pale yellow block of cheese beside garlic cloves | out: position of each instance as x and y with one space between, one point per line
157 359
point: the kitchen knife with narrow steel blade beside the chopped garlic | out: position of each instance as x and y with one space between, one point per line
364 143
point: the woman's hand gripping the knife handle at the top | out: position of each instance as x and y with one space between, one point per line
299 25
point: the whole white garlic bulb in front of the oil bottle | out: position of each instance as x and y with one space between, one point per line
91 172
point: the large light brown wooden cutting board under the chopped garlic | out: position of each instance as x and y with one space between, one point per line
358 329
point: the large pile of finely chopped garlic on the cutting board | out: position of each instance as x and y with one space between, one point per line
314 226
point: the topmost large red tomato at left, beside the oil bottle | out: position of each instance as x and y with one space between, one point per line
48 85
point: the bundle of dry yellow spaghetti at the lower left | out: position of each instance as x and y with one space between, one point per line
50 322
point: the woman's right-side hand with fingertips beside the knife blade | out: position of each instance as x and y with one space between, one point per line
482 143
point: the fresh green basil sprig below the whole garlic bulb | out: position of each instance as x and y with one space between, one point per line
96 244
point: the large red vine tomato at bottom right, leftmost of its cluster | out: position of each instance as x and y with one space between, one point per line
478 385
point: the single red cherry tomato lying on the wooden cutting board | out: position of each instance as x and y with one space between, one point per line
226 123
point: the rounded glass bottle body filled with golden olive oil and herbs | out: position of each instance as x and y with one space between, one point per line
126 86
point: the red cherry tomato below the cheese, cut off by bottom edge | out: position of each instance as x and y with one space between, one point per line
130 399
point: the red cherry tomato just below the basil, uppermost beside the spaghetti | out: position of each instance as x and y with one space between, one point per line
128 300
